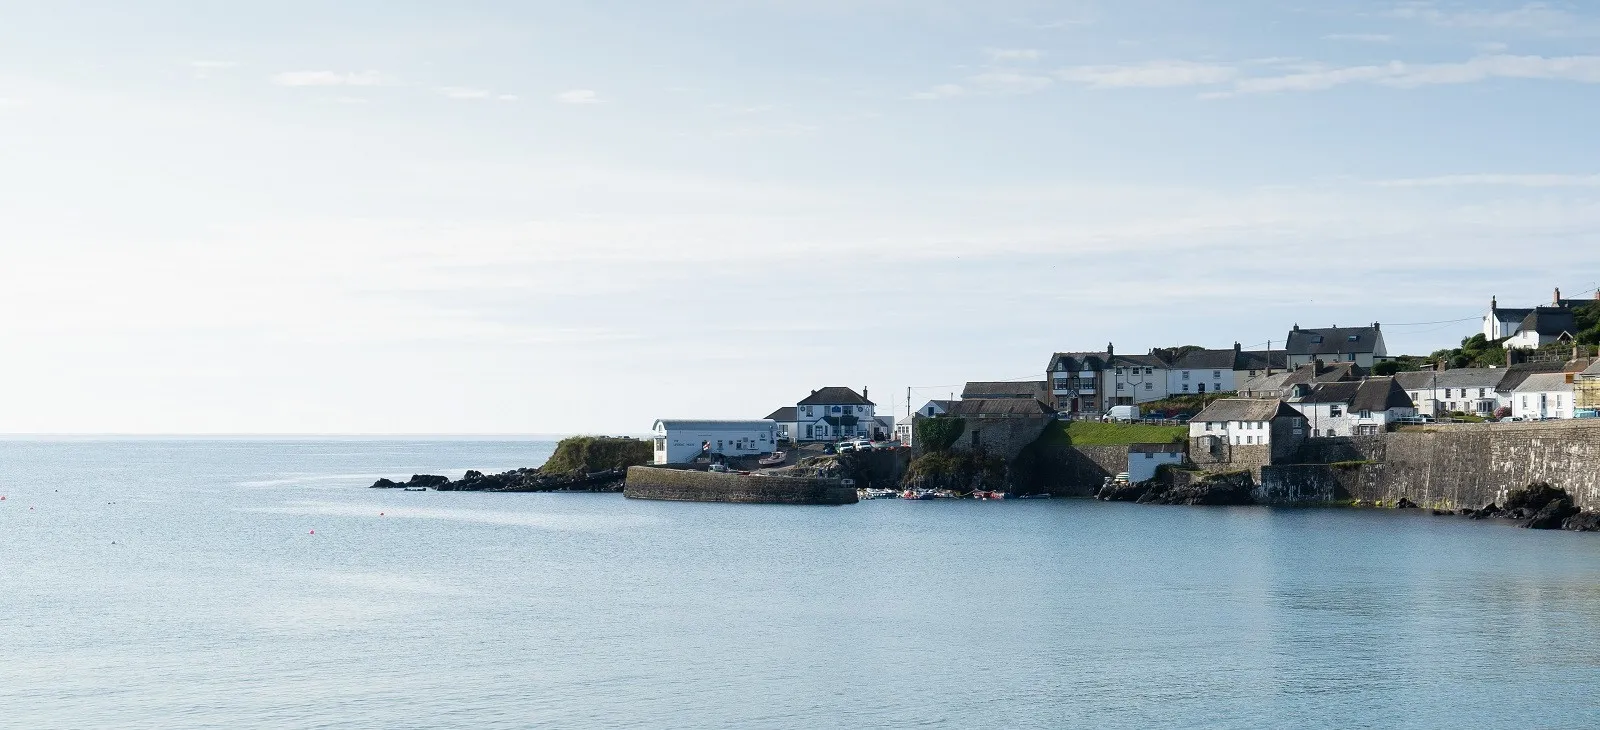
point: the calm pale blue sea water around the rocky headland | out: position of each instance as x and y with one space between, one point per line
164 585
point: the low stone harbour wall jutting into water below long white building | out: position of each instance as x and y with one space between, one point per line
646 483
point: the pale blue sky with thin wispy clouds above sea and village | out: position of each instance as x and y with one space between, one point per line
495 217
